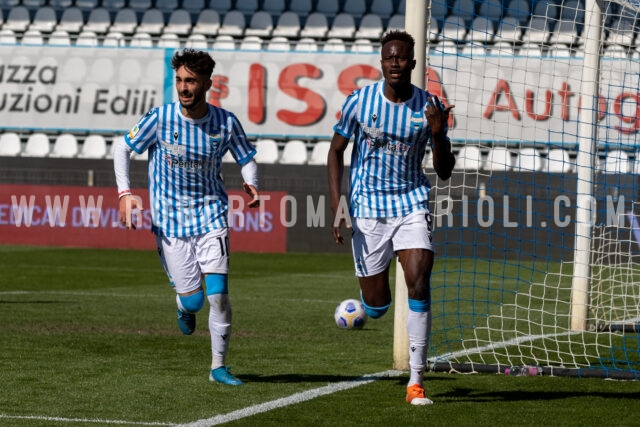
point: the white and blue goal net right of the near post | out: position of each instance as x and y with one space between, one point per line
546 117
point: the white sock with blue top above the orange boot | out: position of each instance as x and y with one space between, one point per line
419 328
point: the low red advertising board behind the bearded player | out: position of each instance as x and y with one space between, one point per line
70 216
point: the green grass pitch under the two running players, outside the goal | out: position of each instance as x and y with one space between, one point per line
89 338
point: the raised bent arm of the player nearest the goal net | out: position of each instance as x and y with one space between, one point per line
443 158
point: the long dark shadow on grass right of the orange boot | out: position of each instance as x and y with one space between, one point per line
469 395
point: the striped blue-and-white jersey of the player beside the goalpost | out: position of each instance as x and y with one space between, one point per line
386 163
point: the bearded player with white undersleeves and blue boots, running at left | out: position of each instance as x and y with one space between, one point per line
186 141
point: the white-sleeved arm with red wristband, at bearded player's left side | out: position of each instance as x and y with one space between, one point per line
127 201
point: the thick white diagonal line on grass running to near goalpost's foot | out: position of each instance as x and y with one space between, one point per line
291 400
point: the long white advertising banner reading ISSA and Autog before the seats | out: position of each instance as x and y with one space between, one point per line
298 95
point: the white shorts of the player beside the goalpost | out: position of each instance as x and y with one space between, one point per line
376 240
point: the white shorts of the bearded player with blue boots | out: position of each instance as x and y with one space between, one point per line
187 259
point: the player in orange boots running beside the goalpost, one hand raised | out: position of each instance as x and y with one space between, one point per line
392 122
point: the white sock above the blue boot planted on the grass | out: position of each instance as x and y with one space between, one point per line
219 327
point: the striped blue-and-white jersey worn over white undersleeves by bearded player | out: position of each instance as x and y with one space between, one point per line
186 191
